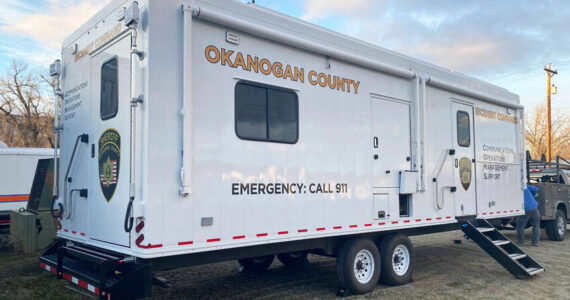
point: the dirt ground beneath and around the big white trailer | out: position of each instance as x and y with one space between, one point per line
443 270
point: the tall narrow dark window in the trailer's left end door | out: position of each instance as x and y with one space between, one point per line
109 89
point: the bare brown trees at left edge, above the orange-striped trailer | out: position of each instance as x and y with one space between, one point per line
26 108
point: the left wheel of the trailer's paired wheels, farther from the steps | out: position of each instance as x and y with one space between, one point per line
358 252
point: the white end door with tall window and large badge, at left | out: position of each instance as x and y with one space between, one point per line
110 147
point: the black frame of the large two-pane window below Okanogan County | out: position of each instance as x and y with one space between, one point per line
267 87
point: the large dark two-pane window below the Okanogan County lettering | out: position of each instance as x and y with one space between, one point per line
265 113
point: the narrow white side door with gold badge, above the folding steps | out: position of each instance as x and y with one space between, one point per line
465 195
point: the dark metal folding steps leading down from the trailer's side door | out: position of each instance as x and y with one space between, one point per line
499 247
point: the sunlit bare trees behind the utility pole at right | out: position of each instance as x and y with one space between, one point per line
536 132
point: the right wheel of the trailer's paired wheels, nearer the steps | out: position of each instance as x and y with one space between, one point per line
395 271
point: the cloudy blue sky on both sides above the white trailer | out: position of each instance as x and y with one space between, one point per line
503 42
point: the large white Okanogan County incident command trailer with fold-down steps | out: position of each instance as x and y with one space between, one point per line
200 131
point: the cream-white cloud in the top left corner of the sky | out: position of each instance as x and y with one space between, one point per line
47 25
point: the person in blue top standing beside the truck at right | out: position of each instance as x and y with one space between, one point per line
531 214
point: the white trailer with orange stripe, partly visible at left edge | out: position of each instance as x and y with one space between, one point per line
17 169
